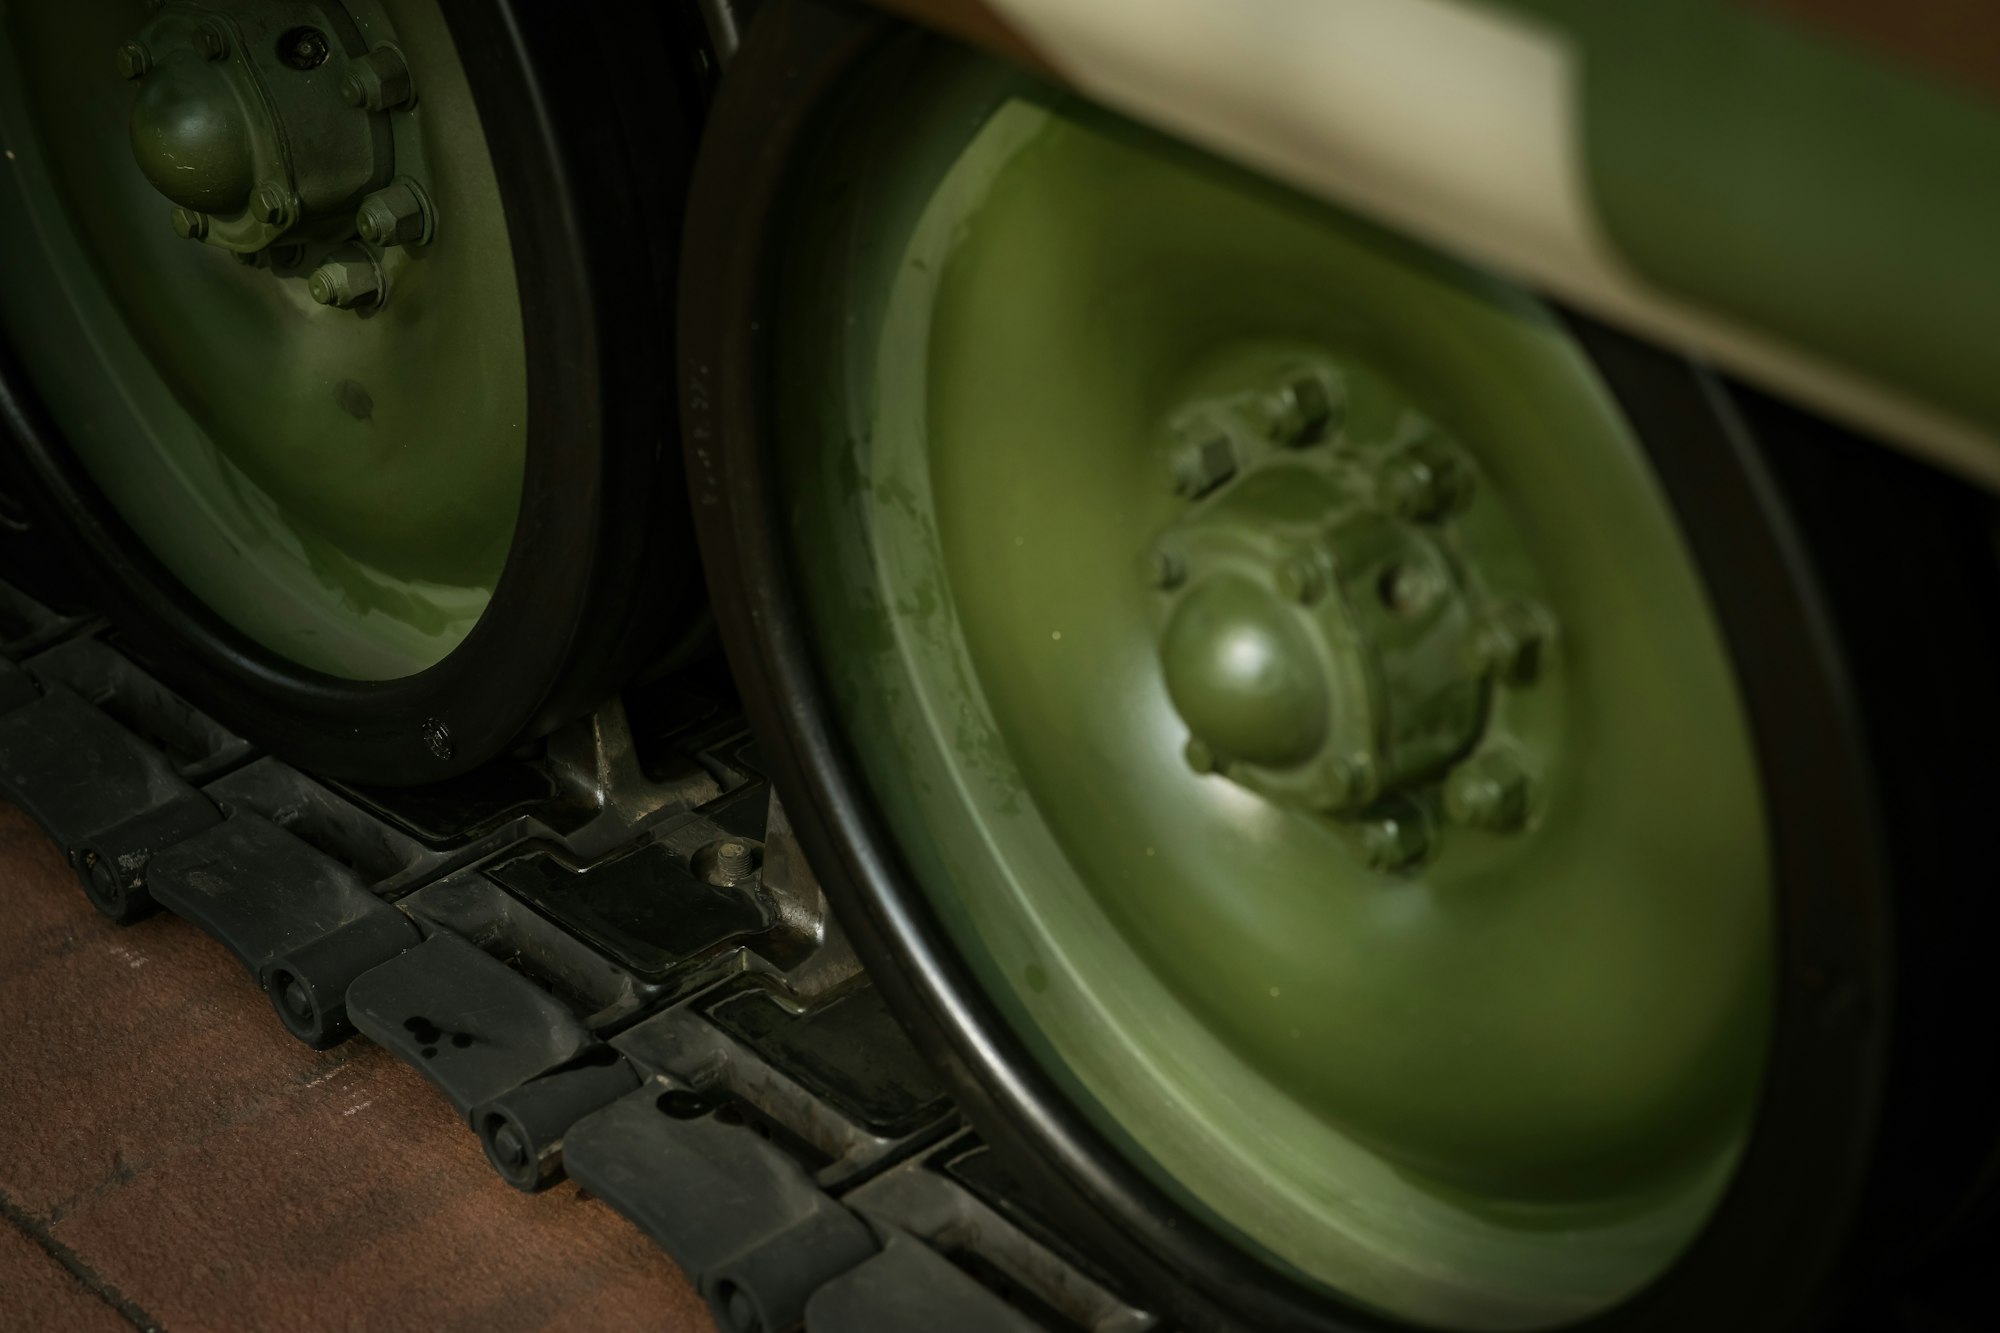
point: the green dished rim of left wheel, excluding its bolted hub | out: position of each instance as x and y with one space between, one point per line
337 483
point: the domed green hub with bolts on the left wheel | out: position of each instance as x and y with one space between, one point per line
267 125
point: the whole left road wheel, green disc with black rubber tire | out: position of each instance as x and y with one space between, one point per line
335 335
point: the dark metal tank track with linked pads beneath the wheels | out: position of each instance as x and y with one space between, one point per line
609 956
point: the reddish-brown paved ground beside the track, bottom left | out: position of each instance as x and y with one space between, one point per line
207 1172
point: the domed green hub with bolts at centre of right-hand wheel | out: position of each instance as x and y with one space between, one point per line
1323 639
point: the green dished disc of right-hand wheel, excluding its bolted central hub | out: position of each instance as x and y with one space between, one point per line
967 521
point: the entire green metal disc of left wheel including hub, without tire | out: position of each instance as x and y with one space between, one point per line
325 437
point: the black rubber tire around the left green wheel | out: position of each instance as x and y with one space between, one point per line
591 115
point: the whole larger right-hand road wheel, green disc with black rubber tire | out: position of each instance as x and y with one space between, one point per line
1343 762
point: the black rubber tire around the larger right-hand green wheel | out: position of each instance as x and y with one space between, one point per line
1783 1250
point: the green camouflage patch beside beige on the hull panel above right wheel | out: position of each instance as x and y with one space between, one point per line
1767 169
